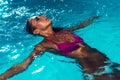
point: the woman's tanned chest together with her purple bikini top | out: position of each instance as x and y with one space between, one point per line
65 43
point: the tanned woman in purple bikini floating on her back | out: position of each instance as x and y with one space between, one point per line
93 62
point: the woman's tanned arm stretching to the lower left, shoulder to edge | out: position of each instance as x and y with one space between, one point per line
22 66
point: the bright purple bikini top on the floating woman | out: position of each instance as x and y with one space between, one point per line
68 47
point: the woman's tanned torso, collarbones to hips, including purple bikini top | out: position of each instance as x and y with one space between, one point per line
74 47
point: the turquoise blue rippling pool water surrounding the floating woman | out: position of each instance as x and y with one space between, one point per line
16 44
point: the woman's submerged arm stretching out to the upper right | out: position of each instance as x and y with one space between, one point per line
82 24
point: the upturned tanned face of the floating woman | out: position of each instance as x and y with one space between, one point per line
40 22
